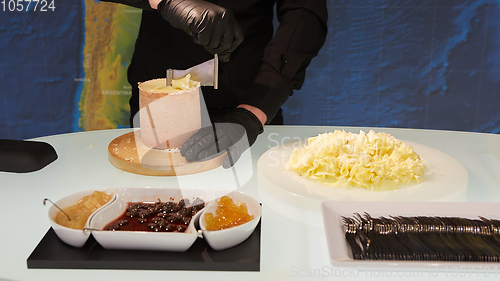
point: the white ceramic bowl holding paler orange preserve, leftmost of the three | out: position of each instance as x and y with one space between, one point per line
70 236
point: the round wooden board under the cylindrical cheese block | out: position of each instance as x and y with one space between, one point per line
128 153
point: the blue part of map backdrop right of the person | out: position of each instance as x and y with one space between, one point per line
417 64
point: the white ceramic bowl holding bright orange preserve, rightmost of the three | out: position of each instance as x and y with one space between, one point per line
230 237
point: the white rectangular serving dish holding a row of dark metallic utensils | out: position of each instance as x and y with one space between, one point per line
339 252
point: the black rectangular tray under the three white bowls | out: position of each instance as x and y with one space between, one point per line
52 253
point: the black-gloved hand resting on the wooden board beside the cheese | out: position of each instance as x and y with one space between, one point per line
226 134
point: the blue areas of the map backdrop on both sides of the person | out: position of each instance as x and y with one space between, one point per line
432 64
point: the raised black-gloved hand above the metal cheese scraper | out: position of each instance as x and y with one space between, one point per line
211 26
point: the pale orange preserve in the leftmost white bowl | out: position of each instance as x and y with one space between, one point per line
80 212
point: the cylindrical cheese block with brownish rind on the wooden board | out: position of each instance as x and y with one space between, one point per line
169 115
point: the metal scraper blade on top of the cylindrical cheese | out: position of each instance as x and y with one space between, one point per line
206 73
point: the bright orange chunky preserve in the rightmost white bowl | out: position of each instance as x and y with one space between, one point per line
227 215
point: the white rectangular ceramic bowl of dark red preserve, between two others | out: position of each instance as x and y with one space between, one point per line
141 240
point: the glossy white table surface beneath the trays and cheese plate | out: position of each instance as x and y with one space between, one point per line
293 244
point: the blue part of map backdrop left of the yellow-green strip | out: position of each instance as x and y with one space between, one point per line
40 61
